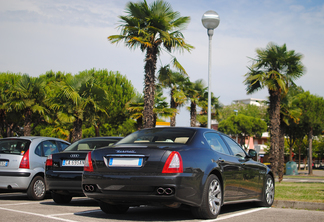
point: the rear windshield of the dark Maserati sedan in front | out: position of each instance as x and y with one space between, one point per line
159 135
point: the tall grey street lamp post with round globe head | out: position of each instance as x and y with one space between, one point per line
210 21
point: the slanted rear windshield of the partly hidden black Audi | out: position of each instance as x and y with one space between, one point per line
88 145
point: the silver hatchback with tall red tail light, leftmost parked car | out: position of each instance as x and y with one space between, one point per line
22 163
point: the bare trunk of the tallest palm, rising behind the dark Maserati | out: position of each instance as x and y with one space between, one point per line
149 88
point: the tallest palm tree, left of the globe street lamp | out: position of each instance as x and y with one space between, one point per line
152 28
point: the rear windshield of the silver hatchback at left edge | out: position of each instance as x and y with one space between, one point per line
14 146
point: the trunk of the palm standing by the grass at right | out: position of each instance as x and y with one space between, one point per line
274 129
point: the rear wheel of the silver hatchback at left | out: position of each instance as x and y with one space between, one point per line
37 189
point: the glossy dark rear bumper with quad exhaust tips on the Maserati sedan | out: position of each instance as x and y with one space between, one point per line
136 190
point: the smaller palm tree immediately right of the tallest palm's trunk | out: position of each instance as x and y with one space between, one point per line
175 81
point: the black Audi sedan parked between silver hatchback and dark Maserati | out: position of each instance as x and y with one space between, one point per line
63 172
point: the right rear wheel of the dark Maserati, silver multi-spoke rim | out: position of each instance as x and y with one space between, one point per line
211 199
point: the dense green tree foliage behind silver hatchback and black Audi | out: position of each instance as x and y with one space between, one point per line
62 105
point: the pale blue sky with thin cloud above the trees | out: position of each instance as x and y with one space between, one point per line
71 36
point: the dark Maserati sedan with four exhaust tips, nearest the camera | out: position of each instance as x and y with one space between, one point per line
197 167
